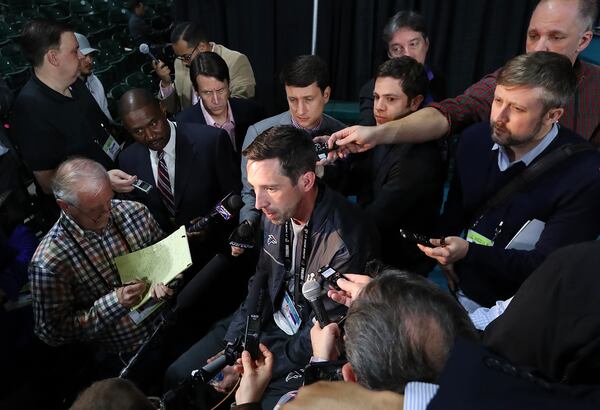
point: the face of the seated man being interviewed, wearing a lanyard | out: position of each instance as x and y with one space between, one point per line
276 196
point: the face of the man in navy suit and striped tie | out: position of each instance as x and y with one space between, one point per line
148 126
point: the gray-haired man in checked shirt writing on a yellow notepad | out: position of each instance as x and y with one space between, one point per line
77 293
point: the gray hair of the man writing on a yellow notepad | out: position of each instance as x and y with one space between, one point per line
76 175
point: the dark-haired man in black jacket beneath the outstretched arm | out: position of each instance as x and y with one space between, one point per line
400 186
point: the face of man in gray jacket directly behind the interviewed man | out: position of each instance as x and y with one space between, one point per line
307 104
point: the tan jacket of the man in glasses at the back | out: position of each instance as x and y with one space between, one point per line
241 79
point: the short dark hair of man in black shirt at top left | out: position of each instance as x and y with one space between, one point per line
40 35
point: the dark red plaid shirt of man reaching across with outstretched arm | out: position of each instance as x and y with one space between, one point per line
582 113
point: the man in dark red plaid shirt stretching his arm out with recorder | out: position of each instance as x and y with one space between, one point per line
561 26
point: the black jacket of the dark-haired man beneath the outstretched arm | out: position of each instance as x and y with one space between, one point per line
400 186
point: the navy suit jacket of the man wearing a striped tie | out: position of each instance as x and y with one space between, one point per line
205 171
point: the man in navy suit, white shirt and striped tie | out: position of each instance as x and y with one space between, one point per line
199 162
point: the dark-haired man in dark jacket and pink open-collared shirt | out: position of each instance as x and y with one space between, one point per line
216 107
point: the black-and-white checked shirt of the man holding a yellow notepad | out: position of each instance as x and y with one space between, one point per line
74 301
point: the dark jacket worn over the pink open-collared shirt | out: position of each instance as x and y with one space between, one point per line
245 113
